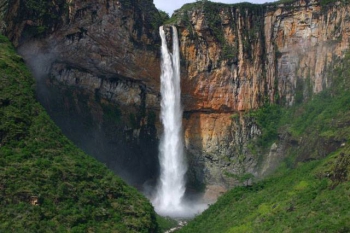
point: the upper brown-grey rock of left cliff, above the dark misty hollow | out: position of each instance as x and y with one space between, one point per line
96 45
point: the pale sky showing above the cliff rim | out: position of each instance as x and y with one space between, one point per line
170 5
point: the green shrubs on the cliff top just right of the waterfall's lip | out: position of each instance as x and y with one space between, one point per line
253 27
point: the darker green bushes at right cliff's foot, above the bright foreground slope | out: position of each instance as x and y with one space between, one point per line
320 116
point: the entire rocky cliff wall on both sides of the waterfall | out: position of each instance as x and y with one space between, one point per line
235 58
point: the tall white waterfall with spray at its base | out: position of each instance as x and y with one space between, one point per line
169 199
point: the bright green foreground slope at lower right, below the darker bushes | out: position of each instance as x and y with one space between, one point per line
293 200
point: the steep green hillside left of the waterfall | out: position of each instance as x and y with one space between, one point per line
46 183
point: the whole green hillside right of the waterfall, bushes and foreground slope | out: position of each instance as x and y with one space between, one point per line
310 192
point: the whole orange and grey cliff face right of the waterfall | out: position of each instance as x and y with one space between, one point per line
237 57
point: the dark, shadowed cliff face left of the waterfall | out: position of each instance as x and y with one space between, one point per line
97 69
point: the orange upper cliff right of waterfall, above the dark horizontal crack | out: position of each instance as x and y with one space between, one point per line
272 48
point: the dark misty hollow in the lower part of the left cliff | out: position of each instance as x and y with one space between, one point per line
71 108
